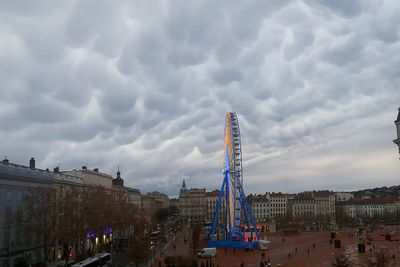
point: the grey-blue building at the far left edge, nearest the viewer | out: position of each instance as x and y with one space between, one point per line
16 183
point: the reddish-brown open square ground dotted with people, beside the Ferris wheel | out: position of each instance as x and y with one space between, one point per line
304 249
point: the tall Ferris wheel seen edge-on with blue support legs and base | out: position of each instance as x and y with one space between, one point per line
236 210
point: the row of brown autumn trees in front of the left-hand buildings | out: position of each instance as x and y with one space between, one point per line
79 220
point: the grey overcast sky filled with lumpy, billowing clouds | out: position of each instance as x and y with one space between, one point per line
146 84
